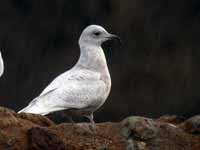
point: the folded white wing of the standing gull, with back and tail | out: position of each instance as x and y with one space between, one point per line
68 91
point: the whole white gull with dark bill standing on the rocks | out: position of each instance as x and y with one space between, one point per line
85 87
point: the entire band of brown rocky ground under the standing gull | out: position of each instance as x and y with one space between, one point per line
35 132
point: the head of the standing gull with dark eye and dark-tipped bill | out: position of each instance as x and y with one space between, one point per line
95 35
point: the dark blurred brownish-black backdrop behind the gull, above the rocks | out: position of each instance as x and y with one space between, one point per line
154 72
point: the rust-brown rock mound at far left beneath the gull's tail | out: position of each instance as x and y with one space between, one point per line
14 128
